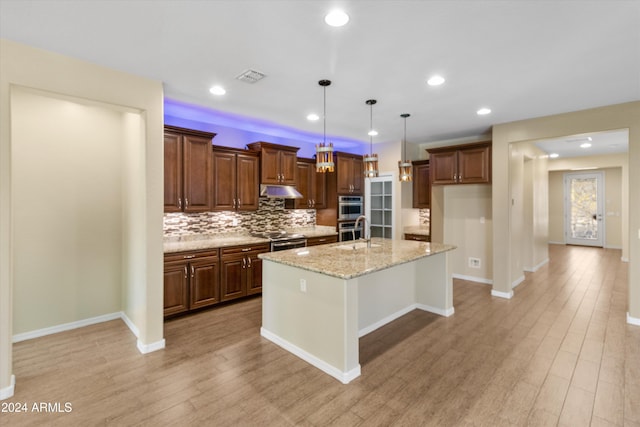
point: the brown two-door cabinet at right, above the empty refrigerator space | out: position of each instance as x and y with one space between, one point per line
461 164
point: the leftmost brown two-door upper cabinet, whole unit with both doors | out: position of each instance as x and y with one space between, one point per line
188 170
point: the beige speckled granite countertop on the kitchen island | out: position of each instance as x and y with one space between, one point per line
348 264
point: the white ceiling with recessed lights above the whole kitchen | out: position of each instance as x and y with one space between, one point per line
522 59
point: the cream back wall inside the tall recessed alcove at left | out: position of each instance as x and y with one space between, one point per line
67 206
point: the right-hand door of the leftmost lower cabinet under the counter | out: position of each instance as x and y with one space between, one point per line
204 281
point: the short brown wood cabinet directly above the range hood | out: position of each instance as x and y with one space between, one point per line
277 163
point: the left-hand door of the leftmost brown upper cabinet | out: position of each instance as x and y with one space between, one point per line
172 172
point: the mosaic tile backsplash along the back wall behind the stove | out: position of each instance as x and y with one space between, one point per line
271 215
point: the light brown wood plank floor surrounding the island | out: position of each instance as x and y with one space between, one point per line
558 353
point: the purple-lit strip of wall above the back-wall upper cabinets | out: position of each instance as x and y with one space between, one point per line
237 131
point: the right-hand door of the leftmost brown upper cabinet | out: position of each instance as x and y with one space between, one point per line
198 174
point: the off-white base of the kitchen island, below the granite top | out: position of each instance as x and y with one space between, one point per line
319 317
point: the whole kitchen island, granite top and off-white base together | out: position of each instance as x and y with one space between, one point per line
318 301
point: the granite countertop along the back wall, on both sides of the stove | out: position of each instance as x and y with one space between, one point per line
194 242
